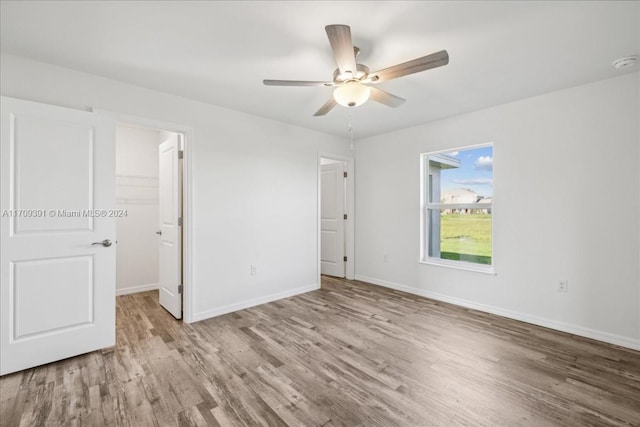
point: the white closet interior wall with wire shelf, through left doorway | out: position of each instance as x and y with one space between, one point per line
137 194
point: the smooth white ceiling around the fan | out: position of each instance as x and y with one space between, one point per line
219 52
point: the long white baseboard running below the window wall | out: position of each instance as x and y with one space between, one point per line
535 320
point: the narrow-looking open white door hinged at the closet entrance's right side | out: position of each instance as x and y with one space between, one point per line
170 199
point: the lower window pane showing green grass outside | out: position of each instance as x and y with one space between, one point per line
460 236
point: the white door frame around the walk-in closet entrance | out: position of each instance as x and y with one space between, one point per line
187 199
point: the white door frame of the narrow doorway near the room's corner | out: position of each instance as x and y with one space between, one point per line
349 227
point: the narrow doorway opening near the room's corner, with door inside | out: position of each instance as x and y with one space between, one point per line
335 216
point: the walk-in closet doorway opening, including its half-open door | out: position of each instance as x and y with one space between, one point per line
149 196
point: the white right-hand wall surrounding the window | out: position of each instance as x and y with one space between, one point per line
567 206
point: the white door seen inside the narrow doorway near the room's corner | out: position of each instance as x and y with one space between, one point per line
332 219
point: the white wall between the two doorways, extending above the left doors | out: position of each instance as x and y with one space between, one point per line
255 195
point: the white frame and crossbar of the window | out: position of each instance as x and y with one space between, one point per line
426 206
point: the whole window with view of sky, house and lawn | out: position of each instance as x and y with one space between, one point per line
457 208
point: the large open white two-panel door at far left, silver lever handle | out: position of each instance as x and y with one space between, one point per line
57 189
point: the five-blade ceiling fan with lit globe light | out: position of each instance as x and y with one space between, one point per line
352 81
